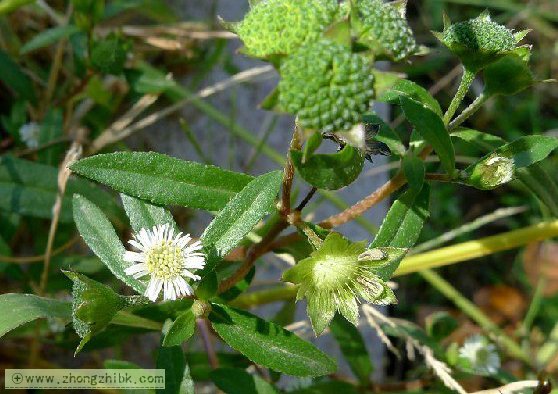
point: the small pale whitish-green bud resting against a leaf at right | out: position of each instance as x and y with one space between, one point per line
492 172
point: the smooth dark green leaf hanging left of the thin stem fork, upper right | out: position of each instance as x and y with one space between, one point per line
432 128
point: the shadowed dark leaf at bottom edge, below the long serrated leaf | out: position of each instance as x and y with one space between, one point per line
238 381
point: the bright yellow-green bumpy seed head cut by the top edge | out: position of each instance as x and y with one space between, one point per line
281 26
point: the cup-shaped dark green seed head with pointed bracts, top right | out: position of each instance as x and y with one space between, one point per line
479 41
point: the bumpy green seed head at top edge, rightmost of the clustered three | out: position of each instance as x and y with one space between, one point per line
383 27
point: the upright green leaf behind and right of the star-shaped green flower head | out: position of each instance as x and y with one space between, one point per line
402 225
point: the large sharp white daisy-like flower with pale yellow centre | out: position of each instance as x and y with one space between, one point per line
167 258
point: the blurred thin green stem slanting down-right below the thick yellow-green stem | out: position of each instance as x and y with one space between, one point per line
471 310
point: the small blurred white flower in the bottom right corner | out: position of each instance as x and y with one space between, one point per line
481 355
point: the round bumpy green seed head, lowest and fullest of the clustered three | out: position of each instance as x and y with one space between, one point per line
326 86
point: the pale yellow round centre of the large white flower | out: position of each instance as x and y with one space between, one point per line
164 261
